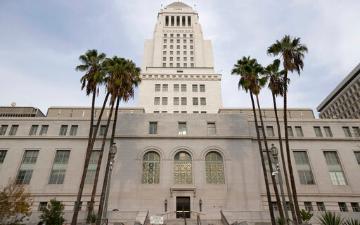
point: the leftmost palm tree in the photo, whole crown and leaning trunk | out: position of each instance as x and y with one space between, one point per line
92 79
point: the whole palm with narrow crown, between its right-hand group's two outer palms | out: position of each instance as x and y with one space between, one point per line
276 86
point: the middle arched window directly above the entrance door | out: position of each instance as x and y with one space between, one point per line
182 168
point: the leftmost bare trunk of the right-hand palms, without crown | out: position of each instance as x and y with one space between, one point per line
272 217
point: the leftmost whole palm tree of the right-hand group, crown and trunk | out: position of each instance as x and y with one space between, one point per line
248 69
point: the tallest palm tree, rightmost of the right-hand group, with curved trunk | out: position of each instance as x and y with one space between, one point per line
292 52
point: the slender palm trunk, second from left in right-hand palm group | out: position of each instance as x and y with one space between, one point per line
277 196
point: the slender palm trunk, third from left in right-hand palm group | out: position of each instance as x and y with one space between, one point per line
289 192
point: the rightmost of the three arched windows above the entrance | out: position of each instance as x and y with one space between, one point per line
214 168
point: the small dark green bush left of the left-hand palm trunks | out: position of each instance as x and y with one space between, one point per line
53 213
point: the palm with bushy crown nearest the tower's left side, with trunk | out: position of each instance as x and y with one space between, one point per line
124 75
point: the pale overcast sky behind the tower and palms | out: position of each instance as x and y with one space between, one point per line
40 42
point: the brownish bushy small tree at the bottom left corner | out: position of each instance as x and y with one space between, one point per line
15 204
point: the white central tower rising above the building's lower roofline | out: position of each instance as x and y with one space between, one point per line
178 71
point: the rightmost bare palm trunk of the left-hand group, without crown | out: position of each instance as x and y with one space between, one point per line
106 177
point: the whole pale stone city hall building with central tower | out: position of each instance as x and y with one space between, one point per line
179 150
